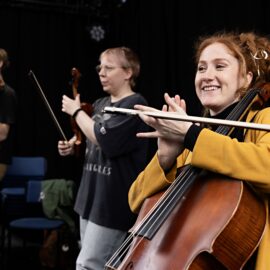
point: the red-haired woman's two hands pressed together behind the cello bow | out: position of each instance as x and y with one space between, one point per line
170 133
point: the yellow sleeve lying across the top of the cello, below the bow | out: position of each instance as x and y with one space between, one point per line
248 160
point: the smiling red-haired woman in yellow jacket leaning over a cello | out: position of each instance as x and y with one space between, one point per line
228 66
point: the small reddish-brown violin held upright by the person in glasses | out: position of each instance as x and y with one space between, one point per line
87 107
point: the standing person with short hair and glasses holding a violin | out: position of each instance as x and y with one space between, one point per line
114 156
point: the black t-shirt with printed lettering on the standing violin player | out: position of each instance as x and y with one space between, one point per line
112 166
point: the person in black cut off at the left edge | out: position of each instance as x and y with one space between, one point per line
7 116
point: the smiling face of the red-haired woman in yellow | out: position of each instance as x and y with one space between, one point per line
218 78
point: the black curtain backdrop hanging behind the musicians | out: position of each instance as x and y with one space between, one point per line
50 43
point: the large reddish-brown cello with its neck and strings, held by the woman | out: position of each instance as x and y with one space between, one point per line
202 221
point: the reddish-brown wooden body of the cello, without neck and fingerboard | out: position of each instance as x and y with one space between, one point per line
217 225
